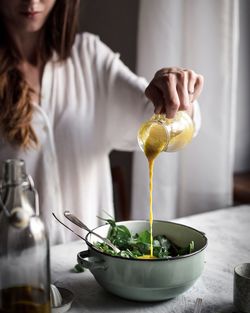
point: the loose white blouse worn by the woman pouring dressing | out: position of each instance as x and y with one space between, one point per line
91 104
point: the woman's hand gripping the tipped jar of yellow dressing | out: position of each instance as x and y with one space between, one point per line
174 89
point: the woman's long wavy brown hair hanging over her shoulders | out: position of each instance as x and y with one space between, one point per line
16 109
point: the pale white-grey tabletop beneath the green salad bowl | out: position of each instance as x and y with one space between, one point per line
228 233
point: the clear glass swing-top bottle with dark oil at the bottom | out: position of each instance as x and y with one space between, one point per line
24 247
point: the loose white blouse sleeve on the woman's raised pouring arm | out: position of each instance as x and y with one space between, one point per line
121 97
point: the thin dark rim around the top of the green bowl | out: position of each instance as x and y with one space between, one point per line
90 245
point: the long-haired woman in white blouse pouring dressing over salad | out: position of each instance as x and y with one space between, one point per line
66 101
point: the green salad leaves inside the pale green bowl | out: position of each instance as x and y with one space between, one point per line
138 245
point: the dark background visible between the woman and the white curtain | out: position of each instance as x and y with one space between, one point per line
115 21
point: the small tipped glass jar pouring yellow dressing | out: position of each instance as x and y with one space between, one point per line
163 134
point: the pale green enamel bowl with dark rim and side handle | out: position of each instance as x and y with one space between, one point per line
147 279
